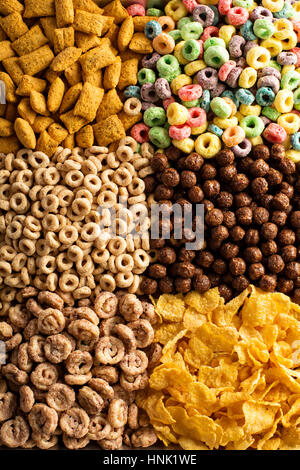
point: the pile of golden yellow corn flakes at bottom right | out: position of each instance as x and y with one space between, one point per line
229 377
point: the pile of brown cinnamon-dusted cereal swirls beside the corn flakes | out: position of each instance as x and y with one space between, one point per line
74 371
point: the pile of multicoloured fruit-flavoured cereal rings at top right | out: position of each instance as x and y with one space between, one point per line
221 75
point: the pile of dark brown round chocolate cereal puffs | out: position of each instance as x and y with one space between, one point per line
252 222
